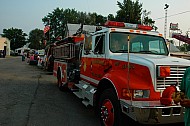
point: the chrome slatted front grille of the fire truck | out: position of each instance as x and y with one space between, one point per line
176 75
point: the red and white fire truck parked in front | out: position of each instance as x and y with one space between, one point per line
126 80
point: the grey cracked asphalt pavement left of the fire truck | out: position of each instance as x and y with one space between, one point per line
29 97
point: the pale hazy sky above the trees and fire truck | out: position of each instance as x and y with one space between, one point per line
27 14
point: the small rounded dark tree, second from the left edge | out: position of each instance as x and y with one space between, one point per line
36 39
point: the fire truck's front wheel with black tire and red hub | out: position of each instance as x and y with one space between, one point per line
109 109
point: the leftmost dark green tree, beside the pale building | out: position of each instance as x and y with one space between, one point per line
16 37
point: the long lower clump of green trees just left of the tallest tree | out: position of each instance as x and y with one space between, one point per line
58 19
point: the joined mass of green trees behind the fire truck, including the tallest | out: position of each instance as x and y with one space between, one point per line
130 11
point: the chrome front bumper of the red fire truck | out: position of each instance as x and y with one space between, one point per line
152 112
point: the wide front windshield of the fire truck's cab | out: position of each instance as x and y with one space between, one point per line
139 43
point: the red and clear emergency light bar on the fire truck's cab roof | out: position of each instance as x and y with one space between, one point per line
127 25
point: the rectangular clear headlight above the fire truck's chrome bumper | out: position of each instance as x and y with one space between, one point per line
141 93
